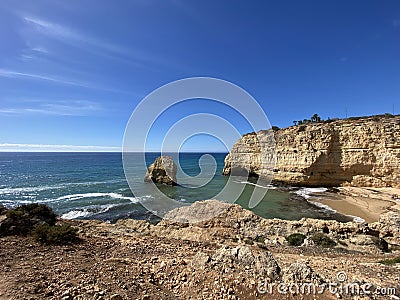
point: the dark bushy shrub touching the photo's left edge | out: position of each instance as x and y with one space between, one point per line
21 220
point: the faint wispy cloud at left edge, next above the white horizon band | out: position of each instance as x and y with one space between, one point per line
59 108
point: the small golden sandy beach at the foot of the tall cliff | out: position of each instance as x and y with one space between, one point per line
366 202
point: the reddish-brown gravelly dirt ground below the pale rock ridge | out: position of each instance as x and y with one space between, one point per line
117 266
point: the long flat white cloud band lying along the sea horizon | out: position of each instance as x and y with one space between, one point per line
55 148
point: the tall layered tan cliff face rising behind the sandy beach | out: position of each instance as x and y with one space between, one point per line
358 152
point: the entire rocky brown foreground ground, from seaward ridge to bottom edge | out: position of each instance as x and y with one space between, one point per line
236 255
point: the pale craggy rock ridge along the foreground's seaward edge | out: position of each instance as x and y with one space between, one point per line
240 225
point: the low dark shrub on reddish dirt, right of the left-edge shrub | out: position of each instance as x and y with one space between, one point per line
55 235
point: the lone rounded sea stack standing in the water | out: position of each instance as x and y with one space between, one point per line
162 170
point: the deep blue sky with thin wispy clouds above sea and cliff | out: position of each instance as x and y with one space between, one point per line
72 72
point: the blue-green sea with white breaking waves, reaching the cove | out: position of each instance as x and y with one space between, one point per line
93 186
